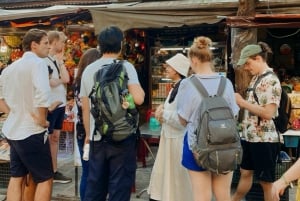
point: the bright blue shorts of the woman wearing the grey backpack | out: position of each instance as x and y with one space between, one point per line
188 160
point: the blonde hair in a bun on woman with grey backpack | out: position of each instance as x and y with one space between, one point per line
201 49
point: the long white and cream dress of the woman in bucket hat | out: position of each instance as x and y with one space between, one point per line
169 179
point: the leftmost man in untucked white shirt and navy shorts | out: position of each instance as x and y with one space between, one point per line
24 94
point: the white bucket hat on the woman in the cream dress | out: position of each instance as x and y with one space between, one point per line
180 63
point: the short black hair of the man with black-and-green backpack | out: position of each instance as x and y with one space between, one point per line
110 40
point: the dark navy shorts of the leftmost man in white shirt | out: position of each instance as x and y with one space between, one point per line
31 155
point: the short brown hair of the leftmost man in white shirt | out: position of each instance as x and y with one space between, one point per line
32 35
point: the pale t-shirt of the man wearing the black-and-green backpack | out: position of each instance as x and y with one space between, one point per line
87 83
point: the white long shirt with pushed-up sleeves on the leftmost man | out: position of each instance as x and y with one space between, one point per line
25 86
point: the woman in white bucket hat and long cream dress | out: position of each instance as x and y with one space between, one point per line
169 179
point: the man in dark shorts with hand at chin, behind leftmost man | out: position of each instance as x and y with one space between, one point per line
59 78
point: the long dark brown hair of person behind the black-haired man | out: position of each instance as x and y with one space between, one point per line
88 57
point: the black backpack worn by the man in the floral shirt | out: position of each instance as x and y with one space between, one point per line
285 106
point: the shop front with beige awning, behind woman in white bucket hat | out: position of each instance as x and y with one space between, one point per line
155 31
